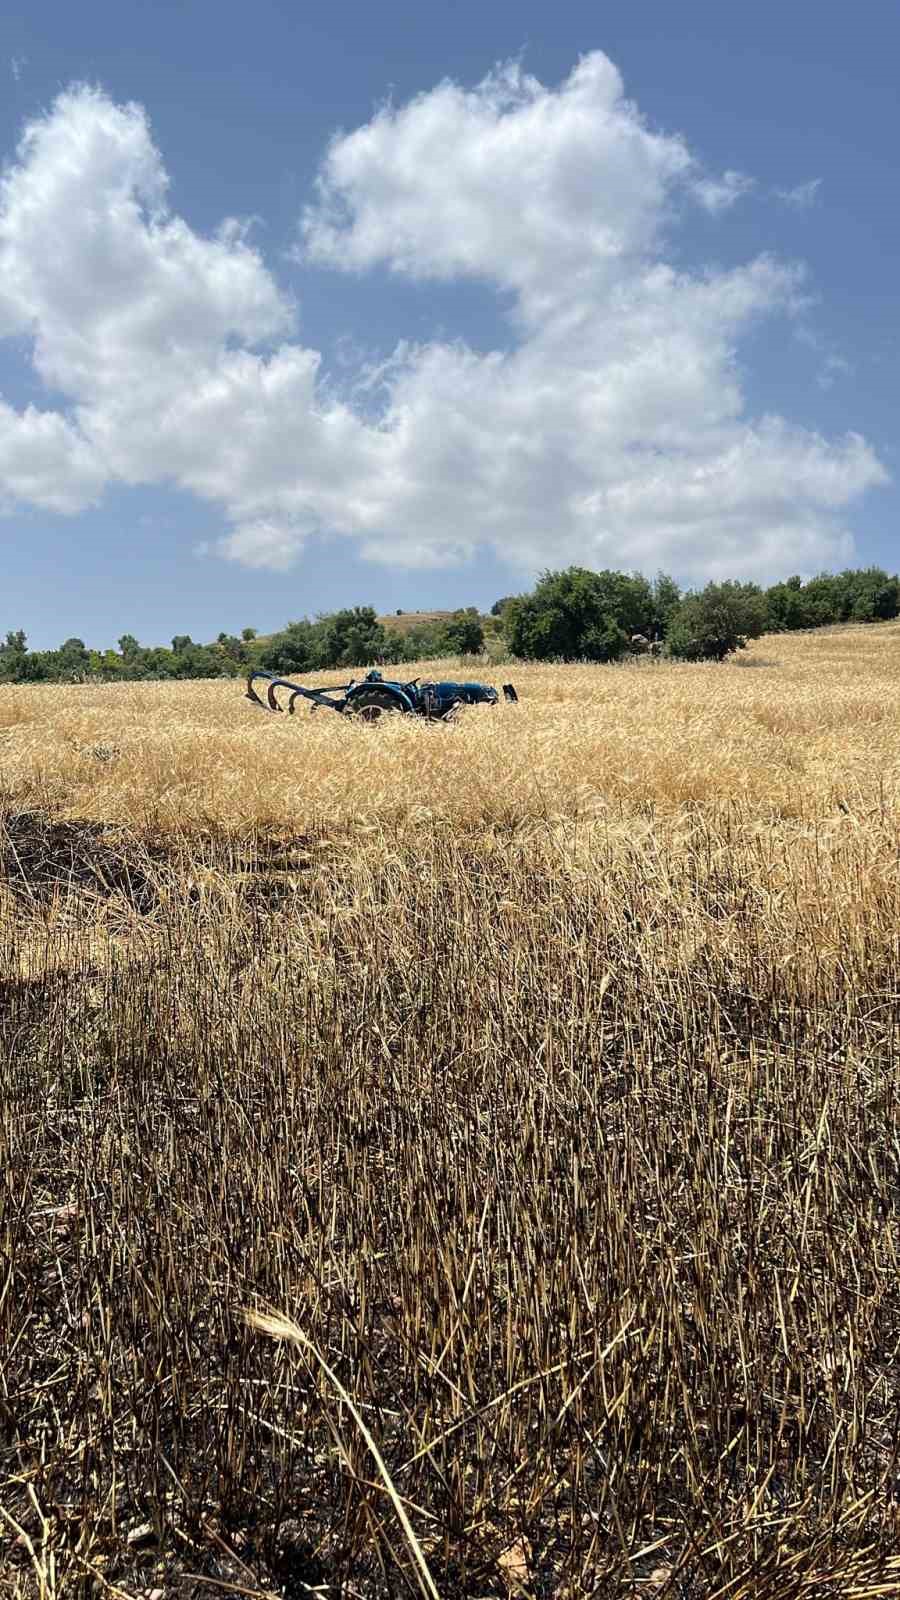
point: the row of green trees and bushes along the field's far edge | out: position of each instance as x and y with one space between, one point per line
573 615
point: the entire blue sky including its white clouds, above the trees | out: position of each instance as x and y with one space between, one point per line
632 302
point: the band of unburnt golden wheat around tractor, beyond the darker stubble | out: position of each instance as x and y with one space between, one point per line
789 729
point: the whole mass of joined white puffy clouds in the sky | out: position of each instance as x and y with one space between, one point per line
611 431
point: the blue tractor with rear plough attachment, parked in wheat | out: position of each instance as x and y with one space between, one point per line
376 697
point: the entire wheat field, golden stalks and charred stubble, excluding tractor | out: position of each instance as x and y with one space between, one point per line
456 1159
